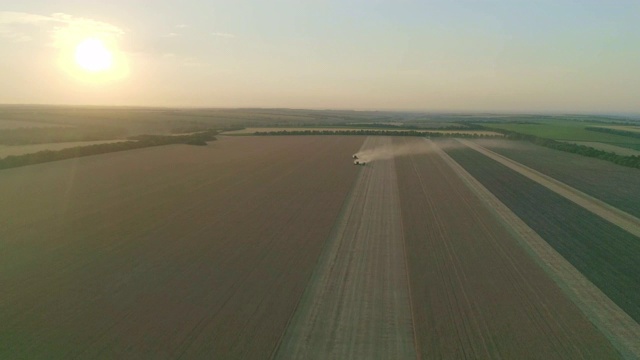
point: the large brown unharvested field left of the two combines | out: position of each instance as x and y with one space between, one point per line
178 251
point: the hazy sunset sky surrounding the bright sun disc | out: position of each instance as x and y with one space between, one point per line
510 55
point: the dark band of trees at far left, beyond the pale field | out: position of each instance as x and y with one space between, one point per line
46 135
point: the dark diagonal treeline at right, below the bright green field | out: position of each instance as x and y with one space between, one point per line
629 161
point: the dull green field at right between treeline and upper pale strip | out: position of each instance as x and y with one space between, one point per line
613 184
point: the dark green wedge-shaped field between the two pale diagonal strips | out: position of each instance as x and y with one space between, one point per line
607 255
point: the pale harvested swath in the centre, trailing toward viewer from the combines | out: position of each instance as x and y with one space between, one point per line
357 305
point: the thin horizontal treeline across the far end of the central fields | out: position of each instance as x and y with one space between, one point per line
371 132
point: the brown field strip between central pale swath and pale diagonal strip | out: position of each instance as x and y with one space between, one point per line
475 292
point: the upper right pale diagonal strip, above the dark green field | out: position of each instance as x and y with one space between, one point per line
614 215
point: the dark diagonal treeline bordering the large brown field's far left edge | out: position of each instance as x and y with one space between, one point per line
136 142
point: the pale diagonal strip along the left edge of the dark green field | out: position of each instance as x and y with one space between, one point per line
621 330
